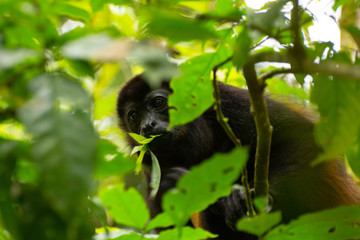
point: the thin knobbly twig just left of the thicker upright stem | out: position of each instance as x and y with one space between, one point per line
223 121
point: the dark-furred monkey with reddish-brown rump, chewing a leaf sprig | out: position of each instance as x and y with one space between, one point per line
295 187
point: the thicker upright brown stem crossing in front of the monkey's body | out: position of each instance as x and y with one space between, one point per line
263 129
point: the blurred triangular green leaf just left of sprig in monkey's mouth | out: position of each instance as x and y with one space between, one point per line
110 162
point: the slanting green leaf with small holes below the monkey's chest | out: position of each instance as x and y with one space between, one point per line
204 184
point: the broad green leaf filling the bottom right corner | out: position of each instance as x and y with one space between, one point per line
333 224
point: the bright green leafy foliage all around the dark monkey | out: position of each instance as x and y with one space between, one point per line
64 166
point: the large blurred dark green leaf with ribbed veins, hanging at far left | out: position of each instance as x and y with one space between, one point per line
64 141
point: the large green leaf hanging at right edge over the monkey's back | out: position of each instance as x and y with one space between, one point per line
338 105
